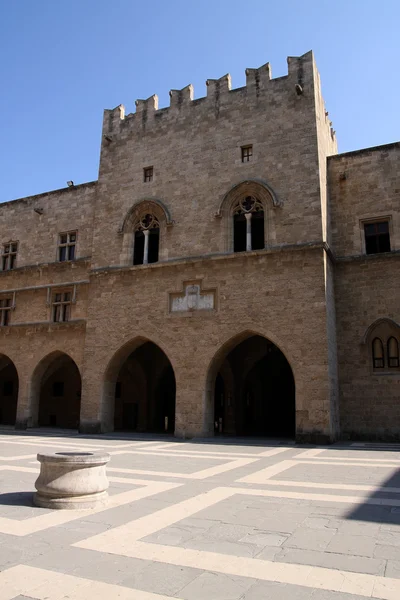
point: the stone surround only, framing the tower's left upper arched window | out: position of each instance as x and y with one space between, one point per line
152 206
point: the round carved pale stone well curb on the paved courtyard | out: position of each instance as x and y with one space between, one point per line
70 480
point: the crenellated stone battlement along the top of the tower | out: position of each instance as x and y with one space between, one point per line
298 84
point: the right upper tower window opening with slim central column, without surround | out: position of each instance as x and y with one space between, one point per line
248 225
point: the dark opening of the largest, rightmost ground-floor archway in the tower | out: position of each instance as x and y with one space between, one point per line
254 391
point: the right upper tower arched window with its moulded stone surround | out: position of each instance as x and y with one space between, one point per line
248 216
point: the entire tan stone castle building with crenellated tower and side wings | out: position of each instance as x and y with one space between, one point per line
228 272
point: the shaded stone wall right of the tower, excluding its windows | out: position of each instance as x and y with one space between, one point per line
365 185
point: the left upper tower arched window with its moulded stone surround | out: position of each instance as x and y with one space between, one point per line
144 231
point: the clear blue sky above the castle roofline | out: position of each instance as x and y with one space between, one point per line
64 61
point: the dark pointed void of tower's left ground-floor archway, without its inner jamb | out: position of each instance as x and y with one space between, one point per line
145 391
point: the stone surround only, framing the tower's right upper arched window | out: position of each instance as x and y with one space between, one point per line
264 194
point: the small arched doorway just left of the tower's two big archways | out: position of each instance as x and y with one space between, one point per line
57 383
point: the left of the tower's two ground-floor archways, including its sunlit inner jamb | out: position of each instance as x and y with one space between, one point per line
138 391
